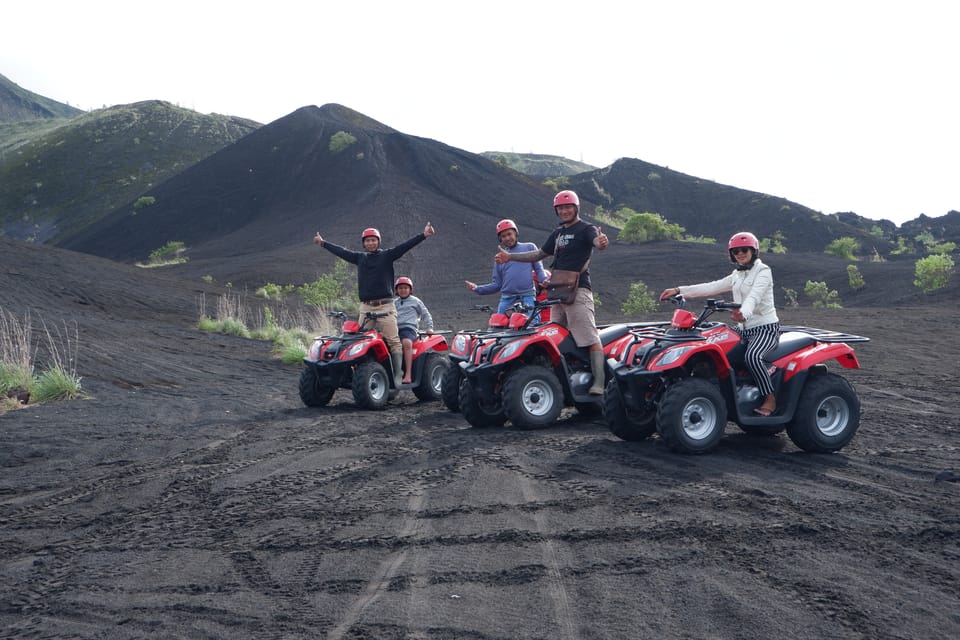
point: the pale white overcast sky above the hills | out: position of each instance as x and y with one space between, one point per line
837 105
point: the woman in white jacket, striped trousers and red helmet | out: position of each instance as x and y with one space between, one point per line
752 286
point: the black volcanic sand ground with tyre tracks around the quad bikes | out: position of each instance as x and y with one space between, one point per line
192 495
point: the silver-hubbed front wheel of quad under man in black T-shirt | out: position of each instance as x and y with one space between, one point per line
532 397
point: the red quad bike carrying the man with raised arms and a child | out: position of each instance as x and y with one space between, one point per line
358 359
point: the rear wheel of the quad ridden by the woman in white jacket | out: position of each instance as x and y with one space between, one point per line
827 416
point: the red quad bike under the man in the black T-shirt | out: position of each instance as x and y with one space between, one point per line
527 372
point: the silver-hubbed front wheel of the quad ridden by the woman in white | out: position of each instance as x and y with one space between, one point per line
691 416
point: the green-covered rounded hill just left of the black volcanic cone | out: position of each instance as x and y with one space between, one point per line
59 178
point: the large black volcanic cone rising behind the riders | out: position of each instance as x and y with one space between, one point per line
271 191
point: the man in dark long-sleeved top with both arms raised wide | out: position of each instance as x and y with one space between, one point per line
375 277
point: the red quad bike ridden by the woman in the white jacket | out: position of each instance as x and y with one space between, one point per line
684 382
